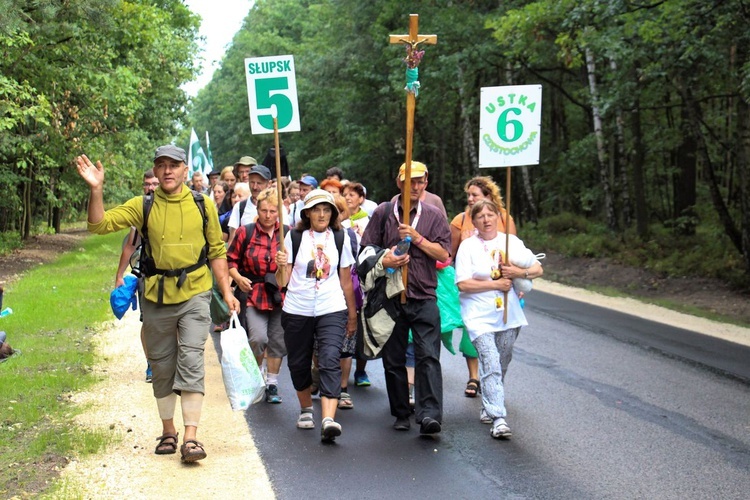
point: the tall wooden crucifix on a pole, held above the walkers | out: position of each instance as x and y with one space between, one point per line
412 40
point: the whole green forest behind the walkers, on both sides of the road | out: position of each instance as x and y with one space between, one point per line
645 104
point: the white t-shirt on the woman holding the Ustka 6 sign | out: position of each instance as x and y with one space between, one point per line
480 311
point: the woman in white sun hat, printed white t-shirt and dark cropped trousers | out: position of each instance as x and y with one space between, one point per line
319 305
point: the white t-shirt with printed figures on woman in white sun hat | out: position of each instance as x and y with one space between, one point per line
314 288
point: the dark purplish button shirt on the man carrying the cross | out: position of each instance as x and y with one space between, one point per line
422 275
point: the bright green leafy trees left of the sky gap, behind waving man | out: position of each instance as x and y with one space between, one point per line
94 76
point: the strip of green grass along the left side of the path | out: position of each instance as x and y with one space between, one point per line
58 308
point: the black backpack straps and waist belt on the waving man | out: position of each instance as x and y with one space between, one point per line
146 265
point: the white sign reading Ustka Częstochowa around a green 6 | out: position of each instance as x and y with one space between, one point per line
510 126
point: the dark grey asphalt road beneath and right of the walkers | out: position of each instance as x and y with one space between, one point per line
601 404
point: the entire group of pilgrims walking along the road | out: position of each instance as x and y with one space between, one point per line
302 298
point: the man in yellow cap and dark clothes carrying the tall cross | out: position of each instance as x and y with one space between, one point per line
430 237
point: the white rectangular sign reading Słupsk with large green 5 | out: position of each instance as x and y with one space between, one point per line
272 92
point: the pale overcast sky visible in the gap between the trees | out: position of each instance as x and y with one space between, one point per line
221 20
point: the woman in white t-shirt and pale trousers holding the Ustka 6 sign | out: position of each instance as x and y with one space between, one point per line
493 324
